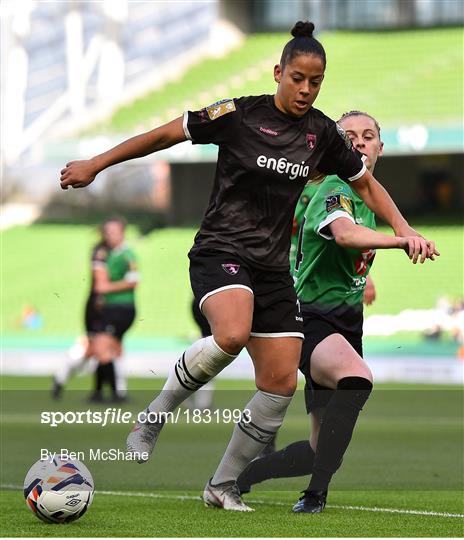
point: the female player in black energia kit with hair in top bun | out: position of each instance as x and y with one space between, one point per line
239 269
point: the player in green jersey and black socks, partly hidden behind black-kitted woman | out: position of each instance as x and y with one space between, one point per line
335 250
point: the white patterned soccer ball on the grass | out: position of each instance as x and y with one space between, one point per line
58 490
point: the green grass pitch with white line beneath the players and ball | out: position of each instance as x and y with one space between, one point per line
402 474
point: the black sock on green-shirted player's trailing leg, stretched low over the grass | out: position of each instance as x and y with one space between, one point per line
296 459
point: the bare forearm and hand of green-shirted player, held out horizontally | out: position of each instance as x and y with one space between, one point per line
349 235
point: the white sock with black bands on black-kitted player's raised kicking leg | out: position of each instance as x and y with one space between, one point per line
202 361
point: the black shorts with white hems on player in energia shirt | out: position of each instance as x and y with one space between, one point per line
276 309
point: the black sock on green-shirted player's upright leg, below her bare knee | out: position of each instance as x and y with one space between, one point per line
337 428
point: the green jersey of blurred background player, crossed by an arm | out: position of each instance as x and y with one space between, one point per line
118 263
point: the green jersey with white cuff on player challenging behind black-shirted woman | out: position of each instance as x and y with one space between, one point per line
328 277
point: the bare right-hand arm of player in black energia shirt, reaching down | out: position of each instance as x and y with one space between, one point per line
379 201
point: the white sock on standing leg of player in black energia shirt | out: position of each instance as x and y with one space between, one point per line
251 434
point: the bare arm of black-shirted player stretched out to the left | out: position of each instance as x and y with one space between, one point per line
81 173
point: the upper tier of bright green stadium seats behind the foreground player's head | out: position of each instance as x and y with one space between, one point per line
407 61
